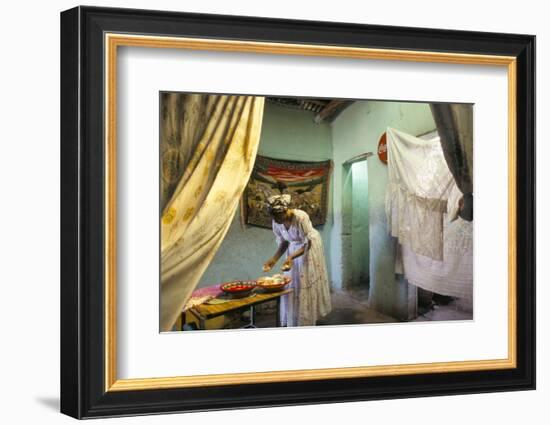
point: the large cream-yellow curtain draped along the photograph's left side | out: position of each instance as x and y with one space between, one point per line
208 147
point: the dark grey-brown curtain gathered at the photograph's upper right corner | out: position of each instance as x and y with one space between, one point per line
454 124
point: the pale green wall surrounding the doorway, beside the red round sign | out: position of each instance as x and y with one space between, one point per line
357 130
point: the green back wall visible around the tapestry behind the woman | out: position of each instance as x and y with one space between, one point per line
286 134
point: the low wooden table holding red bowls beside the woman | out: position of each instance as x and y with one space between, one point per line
203 312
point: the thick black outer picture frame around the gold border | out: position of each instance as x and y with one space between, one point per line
83 392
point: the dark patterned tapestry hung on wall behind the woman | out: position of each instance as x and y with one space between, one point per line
306 182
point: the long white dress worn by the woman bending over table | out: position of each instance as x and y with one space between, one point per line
310 299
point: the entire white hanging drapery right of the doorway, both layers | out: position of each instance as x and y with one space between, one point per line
422 200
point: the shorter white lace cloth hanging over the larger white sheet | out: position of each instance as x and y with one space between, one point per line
419 183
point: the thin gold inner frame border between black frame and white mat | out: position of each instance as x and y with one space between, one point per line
113 41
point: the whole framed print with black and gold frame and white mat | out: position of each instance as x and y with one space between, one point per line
261 212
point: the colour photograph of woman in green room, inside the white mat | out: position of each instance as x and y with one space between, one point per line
279 212
